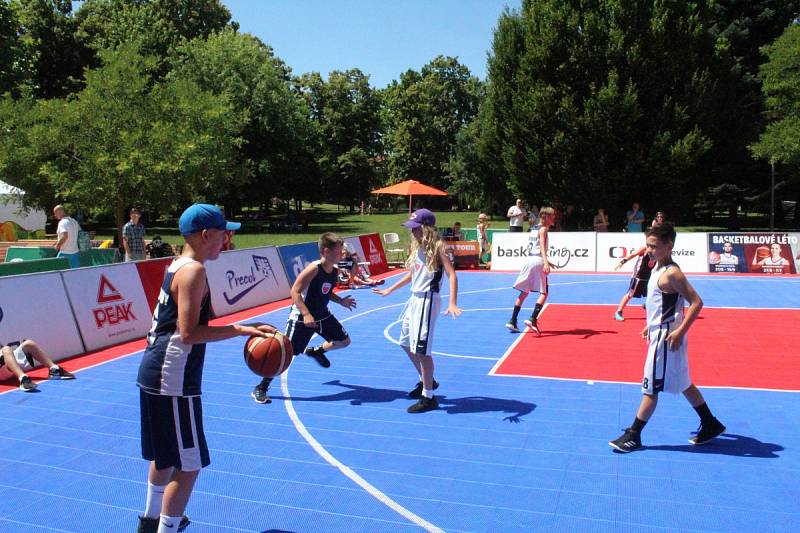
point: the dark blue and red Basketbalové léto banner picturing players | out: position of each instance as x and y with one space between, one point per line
755 252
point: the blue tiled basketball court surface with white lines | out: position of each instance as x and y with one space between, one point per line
336 450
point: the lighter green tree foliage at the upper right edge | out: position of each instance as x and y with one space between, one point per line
781 77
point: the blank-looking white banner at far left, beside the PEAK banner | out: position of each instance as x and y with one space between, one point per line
36 307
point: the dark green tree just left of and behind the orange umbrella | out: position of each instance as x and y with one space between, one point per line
347 115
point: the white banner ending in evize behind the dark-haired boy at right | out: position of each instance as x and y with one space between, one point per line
689 251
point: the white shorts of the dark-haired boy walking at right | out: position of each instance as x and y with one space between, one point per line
665 370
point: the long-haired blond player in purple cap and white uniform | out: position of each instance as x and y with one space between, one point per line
426 263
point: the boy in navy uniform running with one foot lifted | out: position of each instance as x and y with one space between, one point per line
311 293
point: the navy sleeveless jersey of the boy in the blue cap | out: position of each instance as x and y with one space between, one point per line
170 367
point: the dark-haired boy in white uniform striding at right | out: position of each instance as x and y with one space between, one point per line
666 368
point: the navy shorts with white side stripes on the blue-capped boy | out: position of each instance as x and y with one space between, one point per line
172 431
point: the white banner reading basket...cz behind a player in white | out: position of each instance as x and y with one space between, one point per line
573 251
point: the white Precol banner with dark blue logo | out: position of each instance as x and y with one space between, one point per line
241 279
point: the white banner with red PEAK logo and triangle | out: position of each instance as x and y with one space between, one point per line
109 303
